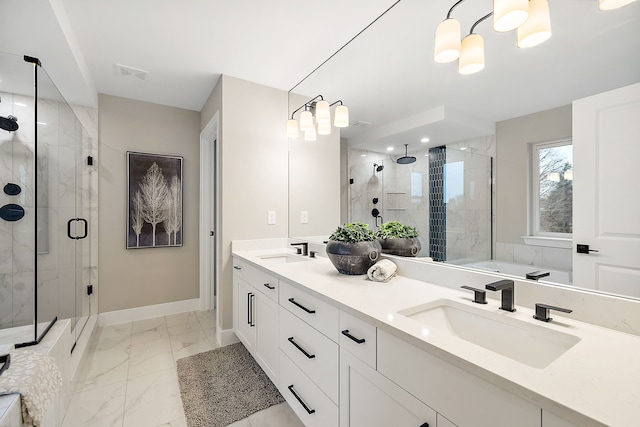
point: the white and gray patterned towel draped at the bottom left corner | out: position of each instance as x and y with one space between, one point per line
37 378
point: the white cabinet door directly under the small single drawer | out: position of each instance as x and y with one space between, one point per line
368 399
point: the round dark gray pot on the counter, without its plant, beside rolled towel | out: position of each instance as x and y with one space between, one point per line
353 258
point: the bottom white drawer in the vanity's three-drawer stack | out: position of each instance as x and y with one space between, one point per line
309 403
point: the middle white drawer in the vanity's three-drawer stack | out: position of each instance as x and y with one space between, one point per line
316 355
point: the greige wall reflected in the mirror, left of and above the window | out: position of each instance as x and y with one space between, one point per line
513 138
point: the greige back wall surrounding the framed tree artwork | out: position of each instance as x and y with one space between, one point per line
140 277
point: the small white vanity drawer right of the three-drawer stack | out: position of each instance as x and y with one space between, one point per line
358 337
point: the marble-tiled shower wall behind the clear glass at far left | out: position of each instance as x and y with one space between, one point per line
61 149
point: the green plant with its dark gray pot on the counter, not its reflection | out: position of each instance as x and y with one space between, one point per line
353 248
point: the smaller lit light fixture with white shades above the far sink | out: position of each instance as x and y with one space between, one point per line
317 111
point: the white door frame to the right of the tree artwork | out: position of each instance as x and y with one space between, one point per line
209 215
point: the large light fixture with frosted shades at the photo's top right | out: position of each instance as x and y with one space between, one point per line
530 19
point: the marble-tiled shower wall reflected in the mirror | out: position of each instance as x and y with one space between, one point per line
403 195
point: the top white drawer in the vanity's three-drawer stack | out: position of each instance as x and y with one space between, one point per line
319 314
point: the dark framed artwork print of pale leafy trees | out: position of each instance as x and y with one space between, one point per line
154 201
